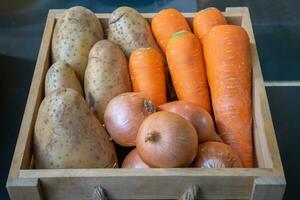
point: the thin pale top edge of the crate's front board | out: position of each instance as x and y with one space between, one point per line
231 172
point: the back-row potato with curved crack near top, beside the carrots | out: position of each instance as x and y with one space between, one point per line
130 30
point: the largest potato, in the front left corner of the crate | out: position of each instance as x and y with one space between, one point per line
68 135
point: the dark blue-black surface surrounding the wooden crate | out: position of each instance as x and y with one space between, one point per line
276 26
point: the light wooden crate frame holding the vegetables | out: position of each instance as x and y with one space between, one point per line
266 181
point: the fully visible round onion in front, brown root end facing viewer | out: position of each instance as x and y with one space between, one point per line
167 140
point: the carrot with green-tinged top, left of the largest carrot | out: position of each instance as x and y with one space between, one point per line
186 66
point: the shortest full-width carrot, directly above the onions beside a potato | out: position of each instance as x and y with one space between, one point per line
147 74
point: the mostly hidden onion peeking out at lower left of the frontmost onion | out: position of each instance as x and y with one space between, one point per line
133 160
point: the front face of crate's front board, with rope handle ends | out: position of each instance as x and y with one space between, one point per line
149 187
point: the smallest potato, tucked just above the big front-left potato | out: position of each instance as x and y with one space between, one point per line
61 75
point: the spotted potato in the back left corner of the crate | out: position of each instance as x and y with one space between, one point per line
76 31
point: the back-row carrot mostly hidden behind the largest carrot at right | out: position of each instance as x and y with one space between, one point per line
205 19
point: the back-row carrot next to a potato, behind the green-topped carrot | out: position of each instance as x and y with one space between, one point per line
165 23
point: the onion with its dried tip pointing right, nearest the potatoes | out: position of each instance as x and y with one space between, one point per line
123 116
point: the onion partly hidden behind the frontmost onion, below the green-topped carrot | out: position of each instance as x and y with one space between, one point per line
199 117
